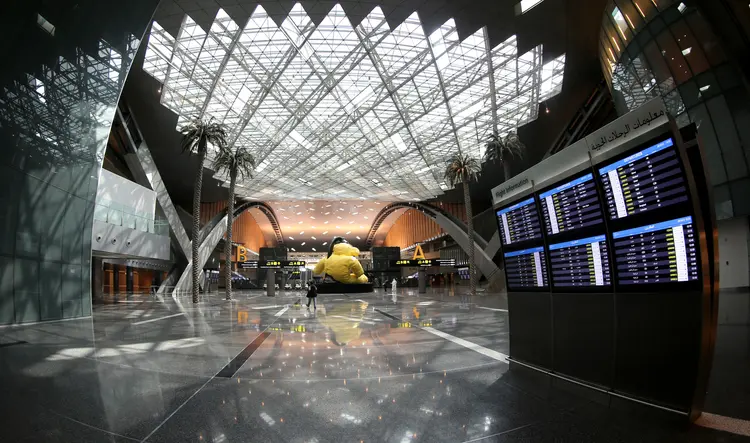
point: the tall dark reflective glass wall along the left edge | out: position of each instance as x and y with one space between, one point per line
57 102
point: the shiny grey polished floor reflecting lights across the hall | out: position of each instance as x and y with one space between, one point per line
369 368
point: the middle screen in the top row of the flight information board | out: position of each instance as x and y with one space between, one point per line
572 205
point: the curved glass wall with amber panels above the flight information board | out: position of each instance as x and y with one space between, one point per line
669 49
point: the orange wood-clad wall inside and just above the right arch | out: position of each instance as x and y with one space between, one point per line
415 227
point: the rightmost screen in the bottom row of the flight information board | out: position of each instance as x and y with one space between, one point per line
663 252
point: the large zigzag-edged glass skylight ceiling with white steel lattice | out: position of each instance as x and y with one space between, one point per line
334 111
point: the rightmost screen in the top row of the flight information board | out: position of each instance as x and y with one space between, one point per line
644 181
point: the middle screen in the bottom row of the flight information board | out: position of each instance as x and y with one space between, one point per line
581 262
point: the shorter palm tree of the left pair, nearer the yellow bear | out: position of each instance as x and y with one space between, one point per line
234 162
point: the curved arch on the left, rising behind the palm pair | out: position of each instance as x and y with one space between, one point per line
214 231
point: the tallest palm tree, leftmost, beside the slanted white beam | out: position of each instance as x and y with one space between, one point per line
196 136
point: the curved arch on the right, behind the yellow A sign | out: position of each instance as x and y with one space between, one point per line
451 225
